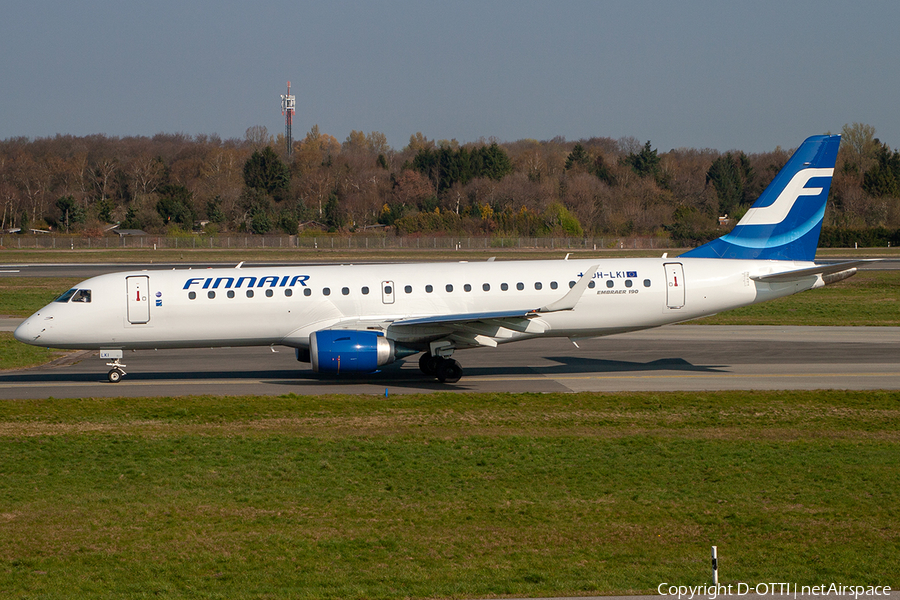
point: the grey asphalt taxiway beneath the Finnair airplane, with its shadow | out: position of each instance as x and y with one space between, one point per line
675 357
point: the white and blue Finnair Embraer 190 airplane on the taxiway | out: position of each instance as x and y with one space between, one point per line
357 318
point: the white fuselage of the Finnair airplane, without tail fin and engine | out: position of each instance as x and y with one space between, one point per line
211 307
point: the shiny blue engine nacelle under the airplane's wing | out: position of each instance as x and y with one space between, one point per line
345 351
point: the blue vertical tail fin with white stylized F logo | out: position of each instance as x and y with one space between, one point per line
784 223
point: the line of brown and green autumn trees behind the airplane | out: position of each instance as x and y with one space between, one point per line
171 183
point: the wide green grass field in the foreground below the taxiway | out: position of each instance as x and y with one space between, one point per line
445 495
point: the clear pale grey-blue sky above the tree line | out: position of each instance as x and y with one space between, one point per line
723 75
